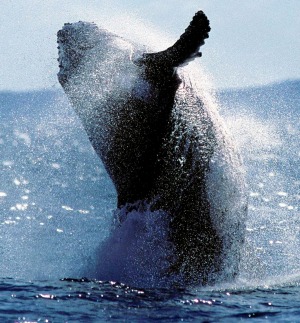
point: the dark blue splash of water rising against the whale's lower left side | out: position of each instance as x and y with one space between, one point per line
138 250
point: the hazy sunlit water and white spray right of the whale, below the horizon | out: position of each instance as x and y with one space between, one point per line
266 126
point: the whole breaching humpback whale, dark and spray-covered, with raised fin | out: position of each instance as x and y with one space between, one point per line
161 140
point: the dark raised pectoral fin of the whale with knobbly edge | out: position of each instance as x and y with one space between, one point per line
186 48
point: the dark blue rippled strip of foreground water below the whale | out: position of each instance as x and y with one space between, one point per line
95 301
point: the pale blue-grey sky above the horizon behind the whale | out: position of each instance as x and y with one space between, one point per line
251 43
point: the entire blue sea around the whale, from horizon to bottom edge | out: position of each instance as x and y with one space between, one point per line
57 202
